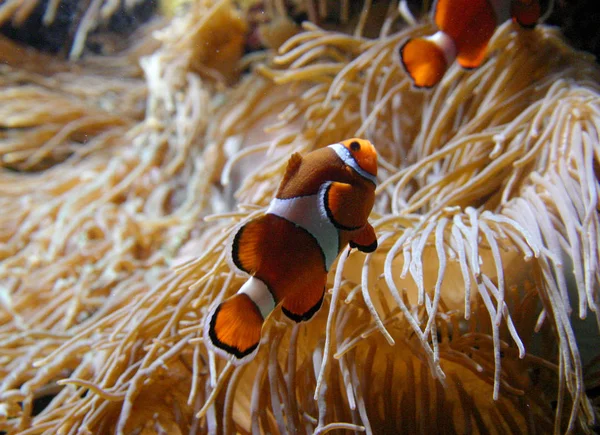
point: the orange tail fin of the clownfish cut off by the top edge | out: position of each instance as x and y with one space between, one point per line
427 59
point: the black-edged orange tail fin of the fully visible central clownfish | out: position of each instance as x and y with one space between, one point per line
233 328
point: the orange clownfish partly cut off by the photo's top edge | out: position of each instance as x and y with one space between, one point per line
465 28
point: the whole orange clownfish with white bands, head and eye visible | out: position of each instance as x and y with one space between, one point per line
322 204
